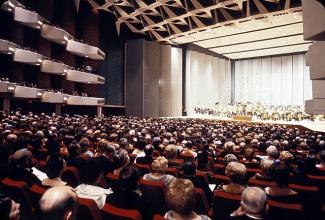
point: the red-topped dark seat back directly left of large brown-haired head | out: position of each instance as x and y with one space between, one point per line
154 196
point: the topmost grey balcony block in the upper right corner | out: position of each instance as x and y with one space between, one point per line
314 14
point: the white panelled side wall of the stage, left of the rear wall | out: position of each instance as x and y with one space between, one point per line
208 80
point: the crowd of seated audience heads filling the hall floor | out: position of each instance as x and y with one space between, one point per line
64 139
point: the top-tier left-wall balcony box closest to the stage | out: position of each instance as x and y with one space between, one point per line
85 50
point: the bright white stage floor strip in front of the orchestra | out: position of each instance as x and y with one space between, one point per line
311 125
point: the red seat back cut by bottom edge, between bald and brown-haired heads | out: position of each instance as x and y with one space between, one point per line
114 213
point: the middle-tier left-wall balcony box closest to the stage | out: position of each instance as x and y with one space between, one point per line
84 77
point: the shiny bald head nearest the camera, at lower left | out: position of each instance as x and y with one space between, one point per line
58 203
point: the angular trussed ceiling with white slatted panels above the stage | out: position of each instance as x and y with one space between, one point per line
234 28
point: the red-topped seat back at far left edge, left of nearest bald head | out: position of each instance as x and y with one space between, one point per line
18 191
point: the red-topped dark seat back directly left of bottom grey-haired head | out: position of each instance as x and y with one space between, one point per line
224 203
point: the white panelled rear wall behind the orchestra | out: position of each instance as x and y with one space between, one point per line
280 80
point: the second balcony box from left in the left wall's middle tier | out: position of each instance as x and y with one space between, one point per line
28 57
